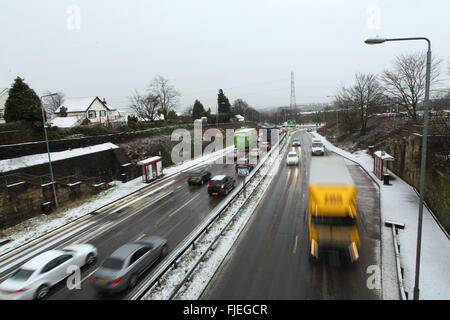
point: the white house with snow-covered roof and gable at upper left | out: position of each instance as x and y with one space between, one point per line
91 108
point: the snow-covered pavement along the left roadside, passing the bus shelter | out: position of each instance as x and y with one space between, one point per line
38 226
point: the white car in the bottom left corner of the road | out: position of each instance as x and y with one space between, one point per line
34 279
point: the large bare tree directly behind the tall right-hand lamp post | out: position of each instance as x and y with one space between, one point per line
405 83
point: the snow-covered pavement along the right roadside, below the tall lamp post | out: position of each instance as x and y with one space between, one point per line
400 203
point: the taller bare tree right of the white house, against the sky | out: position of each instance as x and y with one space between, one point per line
165 93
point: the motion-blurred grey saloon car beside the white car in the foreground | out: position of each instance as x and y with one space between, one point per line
122 269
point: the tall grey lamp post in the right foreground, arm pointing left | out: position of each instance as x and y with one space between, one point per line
424 149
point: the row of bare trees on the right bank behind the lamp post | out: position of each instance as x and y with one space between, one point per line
403 85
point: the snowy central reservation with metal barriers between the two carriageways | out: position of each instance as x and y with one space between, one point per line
238 213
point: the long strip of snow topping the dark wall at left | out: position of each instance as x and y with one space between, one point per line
37 159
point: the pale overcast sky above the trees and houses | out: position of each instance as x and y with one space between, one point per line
110 48
